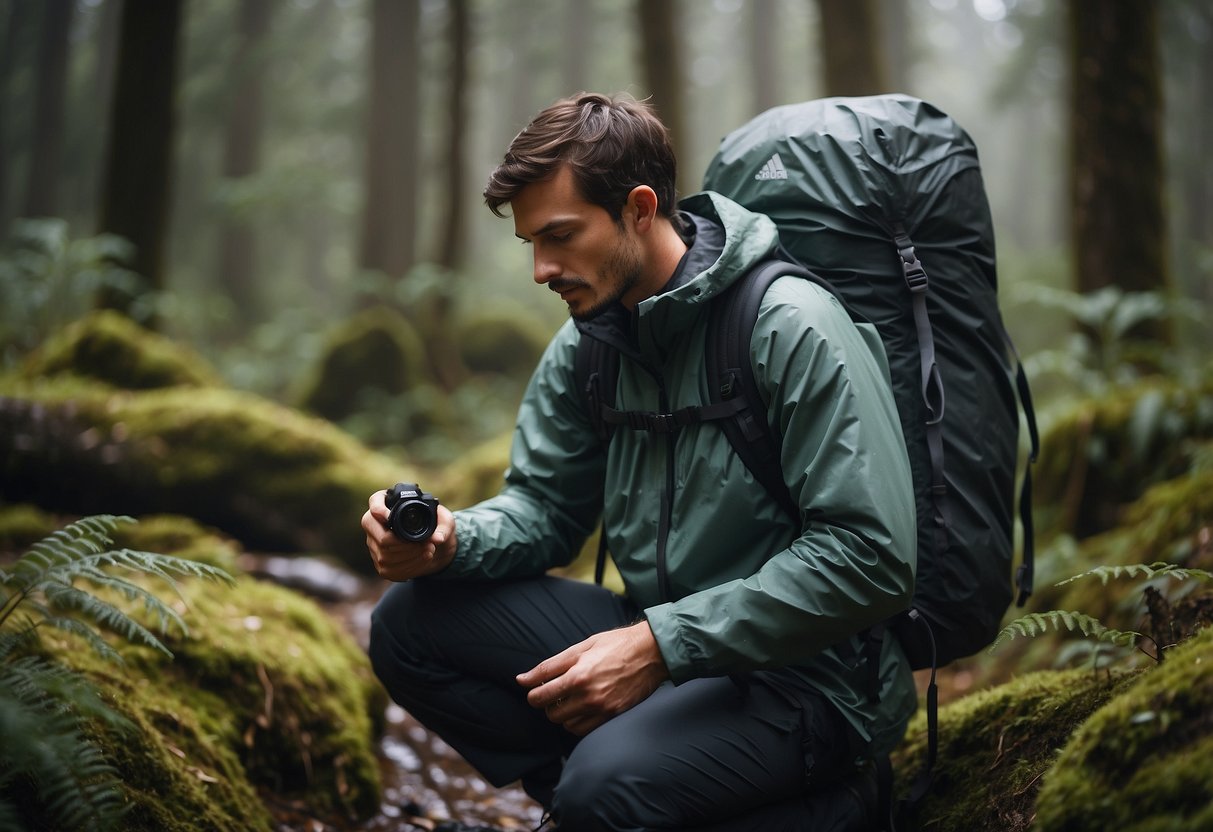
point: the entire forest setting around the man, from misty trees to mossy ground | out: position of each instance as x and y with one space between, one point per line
247 278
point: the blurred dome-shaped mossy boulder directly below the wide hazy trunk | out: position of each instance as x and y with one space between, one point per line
377 350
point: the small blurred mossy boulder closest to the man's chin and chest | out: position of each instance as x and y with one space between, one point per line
502 339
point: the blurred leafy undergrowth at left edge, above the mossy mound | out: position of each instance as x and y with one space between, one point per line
48 280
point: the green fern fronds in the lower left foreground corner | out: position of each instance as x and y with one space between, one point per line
53 773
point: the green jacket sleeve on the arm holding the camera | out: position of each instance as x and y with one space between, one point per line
553 495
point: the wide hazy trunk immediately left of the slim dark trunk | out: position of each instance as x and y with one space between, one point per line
389 232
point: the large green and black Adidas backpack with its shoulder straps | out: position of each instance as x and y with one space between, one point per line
882 200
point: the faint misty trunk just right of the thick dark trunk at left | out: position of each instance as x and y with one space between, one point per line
242 157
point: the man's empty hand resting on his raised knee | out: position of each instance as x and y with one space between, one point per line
596 680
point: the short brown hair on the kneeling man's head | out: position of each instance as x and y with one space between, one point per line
612 145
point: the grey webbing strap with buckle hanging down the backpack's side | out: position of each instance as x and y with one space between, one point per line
932 385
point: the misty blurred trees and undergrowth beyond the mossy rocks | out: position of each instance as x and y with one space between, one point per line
278 166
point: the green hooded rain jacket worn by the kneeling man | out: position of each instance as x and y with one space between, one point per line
726 580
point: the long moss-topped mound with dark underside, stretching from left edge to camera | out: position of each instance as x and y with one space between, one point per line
267 476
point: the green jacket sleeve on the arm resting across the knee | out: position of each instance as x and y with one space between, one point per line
852 563
